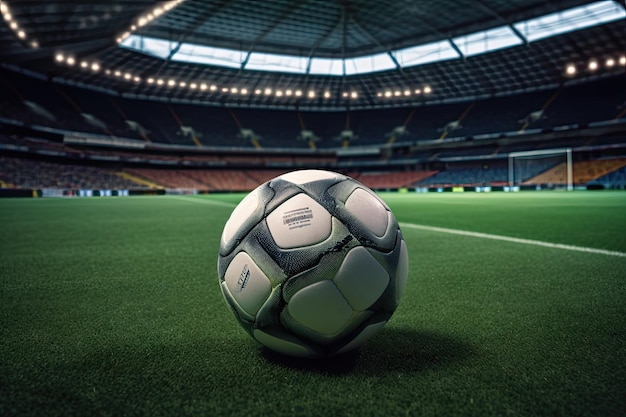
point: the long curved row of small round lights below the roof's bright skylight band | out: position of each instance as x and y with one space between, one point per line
96 67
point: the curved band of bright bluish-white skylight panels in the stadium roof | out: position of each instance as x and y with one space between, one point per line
461 47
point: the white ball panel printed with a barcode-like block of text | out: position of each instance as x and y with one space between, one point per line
299 221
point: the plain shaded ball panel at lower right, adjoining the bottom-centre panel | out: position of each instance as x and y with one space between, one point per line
361 279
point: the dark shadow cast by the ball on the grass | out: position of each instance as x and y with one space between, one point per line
393 350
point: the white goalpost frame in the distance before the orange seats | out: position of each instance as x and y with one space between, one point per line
552 167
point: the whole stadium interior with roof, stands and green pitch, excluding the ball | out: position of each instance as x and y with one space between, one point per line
494 130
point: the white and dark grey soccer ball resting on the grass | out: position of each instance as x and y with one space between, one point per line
312 263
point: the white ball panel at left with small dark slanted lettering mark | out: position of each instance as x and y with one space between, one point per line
247 284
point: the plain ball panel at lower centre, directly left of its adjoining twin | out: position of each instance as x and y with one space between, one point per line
321 308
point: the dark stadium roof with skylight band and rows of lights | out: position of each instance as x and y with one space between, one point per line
102 45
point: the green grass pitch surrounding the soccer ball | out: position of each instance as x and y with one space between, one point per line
111 307
